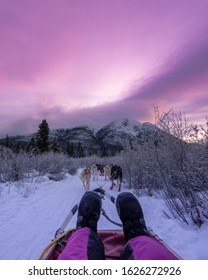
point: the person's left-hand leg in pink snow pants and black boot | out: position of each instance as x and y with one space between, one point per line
84 244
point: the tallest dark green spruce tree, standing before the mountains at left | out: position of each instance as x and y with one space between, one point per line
43 137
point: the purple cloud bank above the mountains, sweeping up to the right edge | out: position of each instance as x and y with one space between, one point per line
178 85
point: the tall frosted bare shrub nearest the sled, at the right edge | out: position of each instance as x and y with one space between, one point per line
180 163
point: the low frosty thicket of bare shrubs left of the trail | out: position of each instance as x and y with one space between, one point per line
24 171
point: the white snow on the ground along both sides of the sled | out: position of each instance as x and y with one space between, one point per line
28 223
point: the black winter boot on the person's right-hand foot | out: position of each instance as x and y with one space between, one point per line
131 215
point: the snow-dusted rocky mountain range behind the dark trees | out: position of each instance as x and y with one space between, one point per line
115 136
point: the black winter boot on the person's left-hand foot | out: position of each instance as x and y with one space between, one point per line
89 211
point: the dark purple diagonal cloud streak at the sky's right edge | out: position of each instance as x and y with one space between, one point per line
180 75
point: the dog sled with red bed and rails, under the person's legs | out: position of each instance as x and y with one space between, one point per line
113 239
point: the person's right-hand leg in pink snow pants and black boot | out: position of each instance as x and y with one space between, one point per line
139 245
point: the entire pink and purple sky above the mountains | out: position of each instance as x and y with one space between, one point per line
76 62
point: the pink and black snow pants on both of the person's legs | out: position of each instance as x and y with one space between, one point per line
84 244
